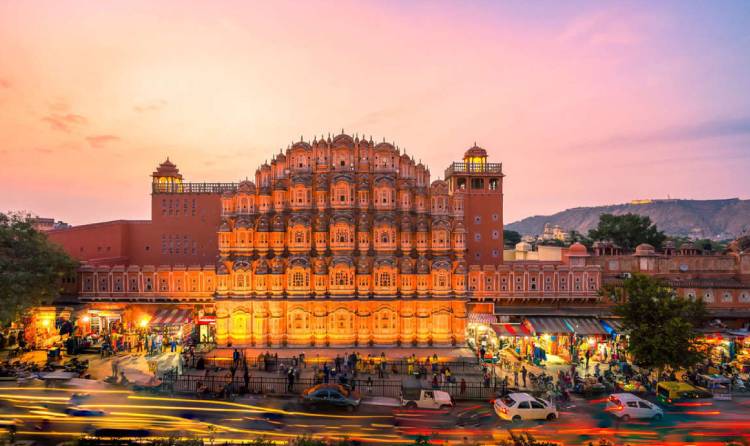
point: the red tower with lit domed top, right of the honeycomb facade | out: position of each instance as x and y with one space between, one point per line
477 189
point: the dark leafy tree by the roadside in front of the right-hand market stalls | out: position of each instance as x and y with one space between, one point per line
662 326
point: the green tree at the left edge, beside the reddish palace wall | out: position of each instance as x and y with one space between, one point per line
31 267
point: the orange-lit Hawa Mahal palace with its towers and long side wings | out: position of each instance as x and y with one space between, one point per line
342 241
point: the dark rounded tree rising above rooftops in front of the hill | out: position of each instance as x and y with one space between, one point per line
627 231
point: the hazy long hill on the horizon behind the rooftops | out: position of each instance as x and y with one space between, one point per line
715 219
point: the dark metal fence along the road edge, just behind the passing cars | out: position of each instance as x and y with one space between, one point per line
215 383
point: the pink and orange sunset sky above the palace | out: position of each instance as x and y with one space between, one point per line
585 103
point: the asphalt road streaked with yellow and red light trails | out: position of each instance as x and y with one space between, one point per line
43 415
